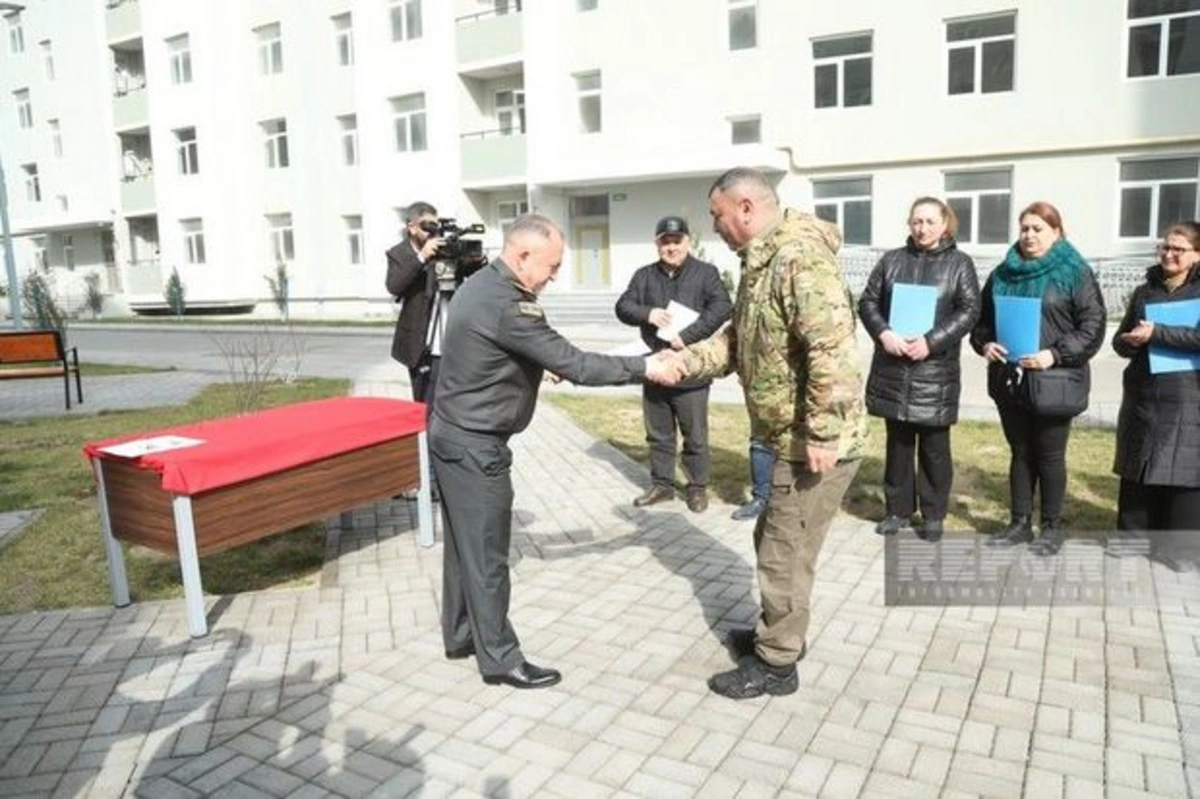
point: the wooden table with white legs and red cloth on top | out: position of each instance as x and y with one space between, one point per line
229 482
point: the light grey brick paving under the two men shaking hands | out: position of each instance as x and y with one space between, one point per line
341 690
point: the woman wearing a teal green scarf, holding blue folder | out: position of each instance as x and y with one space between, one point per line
1037 393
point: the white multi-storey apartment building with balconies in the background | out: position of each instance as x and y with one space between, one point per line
224 139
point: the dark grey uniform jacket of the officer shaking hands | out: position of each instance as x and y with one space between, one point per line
496 349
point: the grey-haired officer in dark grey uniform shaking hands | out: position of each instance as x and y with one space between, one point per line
496 349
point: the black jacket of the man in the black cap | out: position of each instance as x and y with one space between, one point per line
697 285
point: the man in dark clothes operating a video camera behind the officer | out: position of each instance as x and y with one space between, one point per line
409 280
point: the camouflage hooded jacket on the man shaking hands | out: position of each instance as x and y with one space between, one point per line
793 343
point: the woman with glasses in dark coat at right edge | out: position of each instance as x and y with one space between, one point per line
1159 430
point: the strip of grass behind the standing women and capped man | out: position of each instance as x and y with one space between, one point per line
979 500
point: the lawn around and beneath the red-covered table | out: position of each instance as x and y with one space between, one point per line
59 562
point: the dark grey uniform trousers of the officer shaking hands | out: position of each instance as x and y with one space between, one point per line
475 474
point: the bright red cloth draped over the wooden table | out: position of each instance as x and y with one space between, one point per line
243 448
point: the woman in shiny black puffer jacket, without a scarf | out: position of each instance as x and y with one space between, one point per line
916 380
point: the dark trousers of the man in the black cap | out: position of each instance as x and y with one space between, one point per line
662 407
